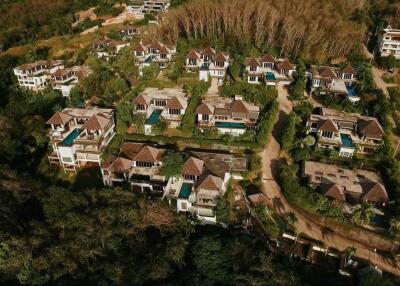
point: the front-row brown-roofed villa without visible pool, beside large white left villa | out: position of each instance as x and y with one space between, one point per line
138 166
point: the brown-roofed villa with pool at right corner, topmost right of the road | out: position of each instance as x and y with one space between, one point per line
335 81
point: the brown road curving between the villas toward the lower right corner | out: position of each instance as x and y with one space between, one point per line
332 234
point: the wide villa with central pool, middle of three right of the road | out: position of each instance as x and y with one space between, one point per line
349 133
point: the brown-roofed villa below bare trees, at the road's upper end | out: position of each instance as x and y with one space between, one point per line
269 70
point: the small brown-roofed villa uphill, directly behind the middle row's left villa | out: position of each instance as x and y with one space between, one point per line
154 52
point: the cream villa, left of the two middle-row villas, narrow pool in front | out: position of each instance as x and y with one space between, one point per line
168 103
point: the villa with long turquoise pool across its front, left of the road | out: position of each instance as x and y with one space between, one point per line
228 115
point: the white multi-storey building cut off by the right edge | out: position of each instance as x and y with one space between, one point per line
389 42
